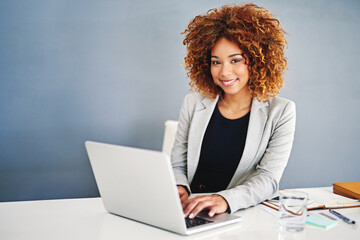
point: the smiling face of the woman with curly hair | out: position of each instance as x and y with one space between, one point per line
229 68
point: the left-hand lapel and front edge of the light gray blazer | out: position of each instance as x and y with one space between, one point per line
201 118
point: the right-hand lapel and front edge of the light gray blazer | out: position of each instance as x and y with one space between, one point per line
257 121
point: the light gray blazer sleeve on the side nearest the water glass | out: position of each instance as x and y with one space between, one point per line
264 179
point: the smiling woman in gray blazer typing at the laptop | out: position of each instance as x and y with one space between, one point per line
234 135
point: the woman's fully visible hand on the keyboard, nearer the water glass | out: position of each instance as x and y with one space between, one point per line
215 203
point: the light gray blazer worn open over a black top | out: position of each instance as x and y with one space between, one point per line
267 149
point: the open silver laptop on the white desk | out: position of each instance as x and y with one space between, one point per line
139 184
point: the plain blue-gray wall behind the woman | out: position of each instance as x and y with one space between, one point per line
111 71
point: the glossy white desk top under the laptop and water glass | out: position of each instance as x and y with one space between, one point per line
87 219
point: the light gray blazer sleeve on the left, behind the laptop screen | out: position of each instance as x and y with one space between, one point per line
179 150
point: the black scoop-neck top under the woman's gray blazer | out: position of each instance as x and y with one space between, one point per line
221 151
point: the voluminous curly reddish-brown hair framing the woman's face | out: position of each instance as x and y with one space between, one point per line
257 33
